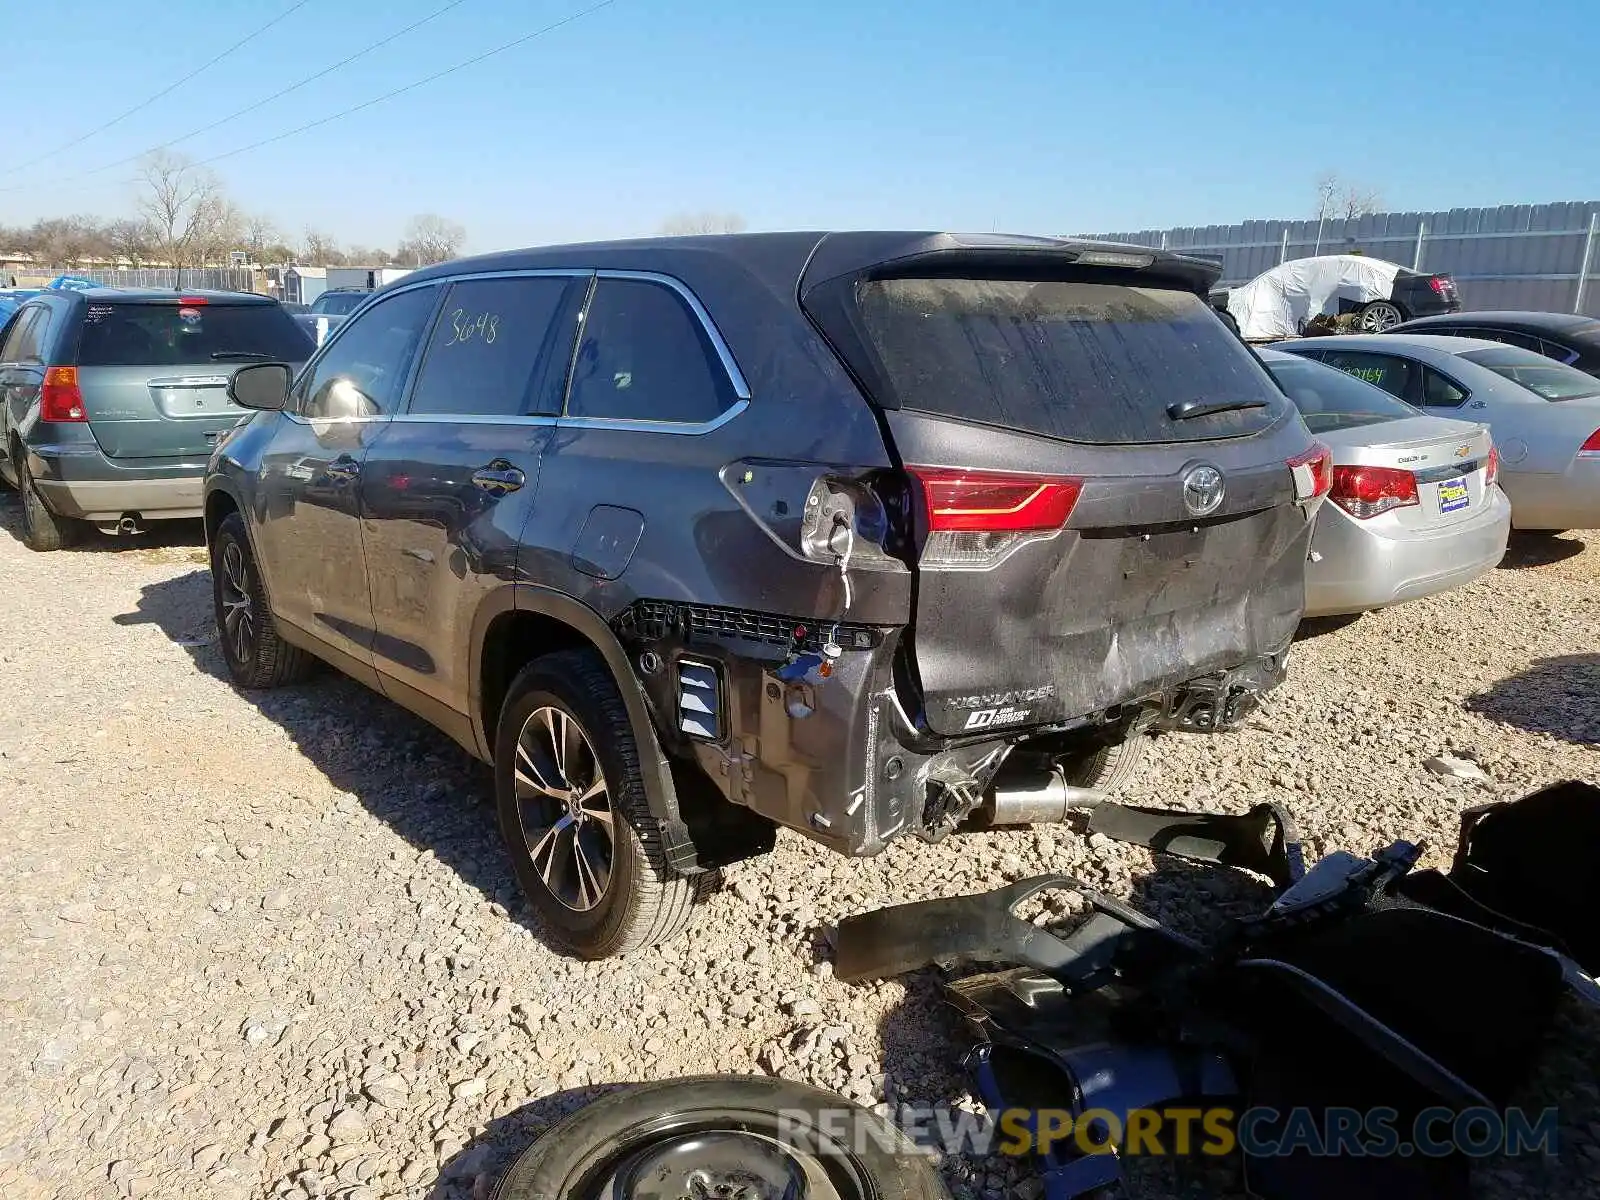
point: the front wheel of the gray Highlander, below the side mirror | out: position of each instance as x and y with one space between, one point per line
255 654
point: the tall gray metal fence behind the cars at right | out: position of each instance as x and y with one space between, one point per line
1513 257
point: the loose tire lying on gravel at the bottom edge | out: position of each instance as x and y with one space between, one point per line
721 1137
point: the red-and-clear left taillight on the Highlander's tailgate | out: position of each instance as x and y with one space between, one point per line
977 518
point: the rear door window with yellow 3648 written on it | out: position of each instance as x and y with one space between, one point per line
487 348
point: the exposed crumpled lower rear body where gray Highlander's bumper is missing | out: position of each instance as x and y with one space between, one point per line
841 759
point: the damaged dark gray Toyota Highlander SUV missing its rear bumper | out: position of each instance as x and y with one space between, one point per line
863 535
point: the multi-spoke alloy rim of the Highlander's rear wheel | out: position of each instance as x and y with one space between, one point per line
566 809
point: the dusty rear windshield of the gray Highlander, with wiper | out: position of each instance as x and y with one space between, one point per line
1082 362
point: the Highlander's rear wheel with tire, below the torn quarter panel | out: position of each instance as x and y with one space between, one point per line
574 812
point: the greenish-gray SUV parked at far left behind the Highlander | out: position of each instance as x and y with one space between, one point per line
111 401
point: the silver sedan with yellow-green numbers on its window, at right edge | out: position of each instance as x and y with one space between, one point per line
1545 415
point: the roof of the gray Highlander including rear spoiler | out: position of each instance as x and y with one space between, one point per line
780 260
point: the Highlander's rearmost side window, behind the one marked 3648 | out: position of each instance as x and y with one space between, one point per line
647 358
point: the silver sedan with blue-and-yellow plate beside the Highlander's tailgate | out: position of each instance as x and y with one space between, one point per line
1415 508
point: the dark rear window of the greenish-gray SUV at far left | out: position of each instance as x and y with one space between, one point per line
180 335
